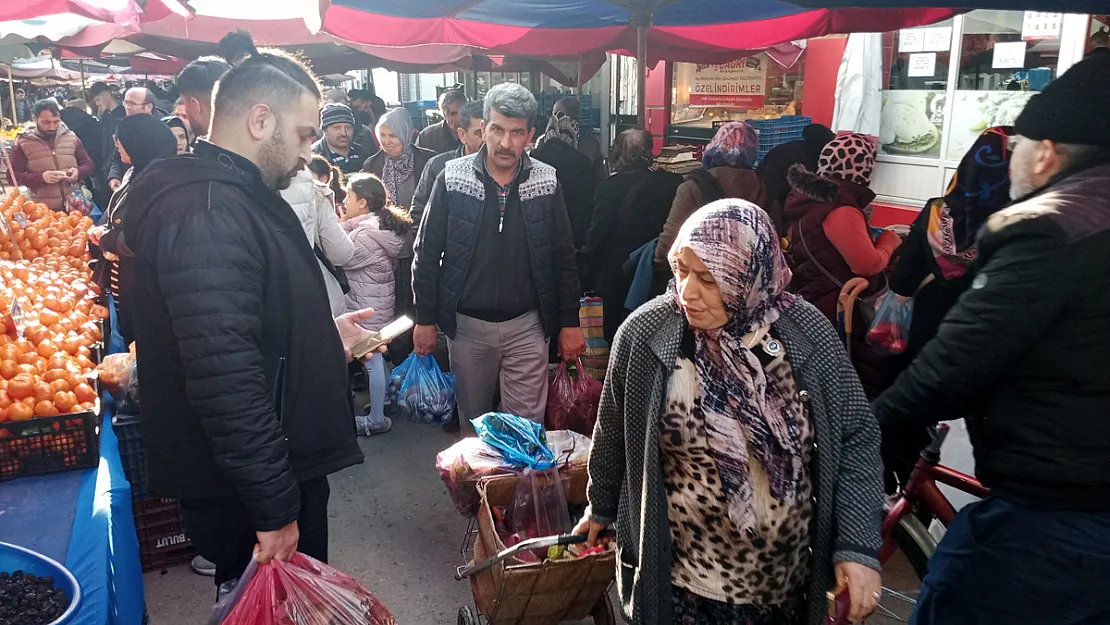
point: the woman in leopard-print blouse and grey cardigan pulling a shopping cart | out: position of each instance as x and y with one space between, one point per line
705 451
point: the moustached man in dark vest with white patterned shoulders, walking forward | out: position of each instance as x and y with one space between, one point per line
496 267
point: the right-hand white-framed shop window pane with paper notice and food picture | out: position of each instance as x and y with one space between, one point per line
1006 58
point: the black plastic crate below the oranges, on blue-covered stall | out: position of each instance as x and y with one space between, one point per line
49 445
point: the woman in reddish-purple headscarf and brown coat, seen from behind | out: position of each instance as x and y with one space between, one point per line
728 173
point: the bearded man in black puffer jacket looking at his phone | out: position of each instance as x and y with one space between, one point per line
243 371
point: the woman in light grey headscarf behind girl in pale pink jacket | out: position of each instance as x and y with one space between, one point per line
399 165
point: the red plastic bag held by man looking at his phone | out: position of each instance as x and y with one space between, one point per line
305 592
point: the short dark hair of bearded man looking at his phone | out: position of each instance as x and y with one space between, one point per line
273 77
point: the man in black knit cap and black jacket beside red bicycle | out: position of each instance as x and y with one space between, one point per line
1023 357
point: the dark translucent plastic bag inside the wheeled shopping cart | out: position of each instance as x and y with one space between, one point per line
540 509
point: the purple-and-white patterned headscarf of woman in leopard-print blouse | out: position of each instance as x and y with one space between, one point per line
743 407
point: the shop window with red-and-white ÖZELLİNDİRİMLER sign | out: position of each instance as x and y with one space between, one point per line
765 86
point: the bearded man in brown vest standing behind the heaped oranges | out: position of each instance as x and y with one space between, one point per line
51 159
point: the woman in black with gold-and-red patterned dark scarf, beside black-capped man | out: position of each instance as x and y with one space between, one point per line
934 267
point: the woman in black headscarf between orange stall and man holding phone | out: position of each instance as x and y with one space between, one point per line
140 139
